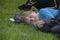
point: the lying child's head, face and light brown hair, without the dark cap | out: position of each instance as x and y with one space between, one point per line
29 17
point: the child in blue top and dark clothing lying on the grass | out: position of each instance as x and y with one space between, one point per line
44 20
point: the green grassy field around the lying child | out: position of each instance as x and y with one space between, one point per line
11 31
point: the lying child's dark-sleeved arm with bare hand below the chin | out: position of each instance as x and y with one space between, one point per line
46 22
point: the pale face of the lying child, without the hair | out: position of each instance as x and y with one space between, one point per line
31 18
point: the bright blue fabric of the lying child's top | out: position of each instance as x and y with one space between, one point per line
48 13
